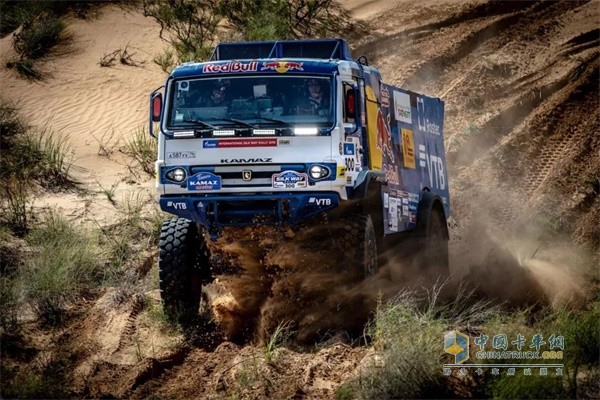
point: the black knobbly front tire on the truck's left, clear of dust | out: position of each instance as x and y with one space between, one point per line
183 264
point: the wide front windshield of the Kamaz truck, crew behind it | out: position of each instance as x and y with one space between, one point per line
259 101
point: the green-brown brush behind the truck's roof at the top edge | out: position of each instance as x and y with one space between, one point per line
191 27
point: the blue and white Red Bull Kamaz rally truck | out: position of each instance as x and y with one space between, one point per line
237 148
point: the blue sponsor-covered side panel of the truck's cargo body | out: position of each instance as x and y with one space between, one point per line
410 141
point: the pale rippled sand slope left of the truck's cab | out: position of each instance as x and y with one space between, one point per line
95 108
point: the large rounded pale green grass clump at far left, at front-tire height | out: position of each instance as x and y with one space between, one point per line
64 260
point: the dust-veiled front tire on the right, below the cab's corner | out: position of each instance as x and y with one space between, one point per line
364 244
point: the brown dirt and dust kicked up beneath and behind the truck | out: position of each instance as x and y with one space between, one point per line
305 280
